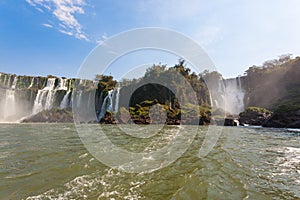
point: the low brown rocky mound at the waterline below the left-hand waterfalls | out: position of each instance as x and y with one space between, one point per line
51 116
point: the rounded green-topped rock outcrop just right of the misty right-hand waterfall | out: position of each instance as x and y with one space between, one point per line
255 117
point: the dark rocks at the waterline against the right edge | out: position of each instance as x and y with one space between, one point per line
289 119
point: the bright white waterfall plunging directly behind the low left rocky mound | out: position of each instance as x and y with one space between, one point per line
44 97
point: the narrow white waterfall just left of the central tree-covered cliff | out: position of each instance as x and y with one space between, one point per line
110 103
